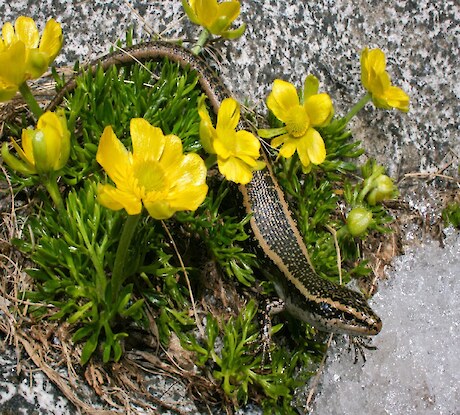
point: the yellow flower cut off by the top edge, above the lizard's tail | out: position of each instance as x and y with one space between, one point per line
215 17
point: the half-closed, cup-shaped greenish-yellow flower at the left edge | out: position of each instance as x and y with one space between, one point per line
44 149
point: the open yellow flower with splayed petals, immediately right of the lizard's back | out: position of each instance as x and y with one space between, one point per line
299 118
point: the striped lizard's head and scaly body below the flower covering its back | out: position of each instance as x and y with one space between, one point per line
303 291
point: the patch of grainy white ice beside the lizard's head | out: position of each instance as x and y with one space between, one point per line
416 368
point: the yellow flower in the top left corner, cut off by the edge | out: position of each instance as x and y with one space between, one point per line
23 55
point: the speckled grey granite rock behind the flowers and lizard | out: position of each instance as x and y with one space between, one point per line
289 39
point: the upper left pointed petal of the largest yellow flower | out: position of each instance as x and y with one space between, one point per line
113 156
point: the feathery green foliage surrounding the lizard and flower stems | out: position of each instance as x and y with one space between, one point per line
73 250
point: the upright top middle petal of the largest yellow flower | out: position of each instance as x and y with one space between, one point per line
148 141
